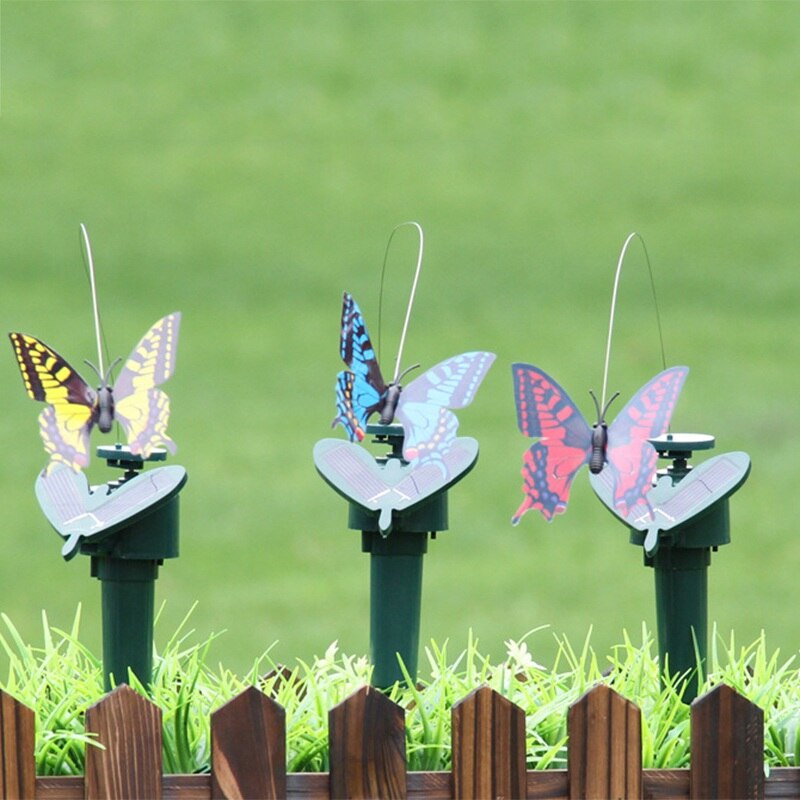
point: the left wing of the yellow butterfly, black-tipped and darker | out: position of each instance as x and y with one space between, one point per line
71 412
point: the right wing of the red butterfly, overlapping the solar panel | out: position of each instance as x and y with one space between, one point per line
631 458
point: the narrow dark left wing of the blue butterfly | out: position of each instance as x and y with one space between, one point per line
360 390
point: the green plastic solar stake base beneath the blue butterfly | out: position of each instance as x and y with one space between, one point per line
396 506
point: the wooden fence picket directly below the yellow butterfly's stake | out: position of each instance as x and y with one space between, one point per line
130 765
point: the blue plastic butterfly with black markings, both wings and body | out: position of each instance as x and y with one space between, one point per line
422 407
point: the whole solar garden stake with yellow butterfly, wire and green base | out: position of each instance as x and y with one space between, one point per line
129 525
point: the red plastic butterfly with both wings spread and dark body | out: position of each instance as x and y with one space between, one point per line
566 442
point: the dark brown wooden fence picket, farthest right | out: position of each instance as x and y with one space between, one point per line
727 746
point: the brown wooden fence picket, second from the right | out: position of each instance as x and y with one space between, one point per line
605 746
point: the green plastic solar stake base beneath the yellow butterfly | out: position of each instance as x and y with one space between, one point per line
127 527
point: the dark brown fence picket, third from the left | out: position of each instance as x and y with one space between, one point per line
248 748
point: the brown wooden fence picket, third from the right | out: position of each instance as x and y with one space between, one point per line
488 740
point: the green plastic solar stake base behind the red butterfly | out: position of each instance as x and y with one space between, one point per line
688 518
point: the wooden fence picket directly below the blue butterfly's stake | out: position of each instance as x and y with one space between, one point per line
367 747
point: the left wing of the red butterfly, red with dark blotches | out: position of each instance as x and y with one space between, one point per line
545 411
